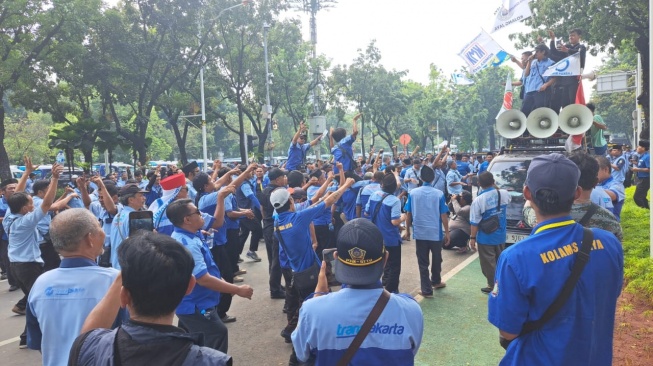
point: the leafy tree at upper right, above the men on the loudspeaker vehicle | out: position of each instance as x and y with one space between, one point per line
607 25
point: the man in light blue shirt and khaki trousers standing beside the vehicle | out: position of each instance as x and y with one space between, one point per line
490 205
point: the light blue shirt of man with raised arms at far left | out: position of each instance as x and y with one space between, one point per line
24 236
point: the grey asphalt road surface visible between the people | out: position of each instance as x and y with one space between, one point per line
253 339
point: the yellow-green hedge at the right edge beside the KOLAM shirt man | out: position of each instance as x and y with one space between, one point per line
638 266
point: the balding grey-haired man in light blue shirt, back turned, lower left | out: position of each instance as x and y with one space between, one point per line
62 298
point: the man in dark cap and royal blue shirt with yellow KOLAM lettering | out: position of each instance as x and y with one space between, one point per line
531 274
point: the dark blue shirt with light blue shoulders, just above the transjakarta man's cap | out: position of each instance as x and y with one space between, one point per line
390 210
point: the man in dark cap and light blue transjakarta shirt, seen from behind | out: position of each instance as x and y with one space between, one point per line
329 321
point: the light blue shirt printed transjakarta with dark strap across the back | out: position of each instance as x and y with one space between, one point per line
327 325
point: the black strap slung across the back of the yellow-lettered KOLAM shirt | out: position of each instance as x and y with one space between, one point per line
582 258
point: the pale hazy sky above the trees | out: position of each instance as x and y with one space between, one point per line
410 34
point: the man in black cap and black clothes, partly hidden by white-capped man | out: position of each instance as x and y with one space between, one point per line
277 179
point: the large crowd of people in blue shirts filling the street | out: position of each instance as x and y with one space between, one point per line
360 210
